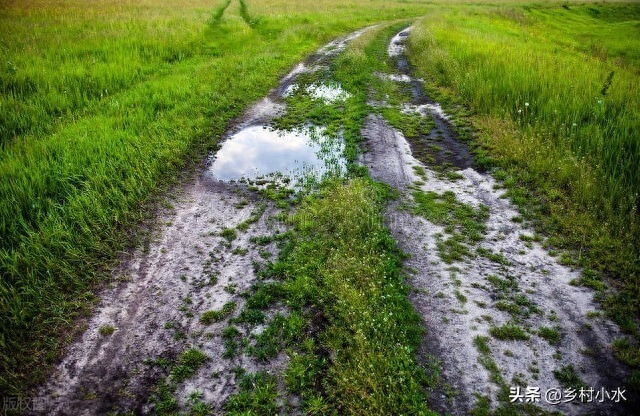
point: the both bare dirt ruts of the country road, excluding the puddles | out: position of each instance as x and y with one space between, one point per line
194 264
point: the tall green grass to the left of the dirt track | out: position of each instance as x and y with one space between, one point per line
101 104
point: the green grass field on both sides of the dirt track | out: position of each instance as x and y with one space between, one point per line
102 105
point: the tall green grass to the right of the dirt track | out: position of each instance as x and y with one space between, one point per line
556 95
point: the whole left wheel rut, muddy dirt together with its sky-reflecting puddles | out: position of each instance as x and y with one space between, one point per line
204 256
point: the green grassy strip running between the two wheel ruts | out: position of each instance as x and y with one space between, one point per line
351 333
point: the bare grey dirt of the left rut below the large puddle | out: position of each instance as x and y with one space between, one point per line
155 310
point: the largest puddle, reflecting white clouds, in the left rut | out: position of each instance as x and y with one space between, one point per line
258 152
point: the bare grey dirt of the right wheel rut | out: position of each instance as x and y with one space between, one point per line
457 300
